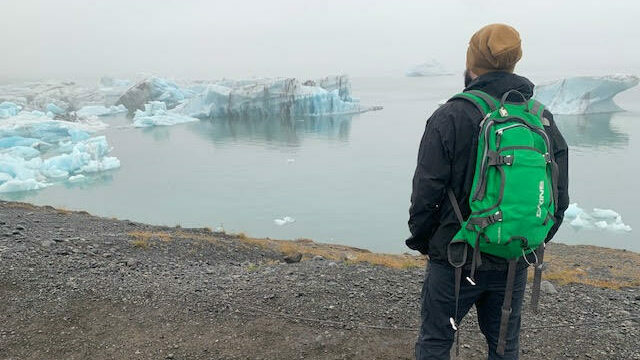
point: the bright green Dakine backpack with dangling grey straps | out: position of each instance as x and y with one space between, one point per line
514 192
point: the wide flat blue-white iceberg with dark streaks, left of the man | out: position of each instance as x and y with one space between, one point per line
268 98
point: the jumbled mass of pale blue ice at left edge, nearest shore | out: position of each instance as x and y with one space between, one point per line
36 151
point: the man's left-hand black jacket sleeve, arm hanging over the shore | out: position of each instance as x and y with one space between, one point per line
429 183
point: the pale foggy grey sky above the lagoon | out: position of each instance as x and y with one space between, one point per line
241 38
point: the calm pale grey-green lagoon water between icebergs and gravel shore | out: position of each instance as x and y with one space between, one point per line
345 180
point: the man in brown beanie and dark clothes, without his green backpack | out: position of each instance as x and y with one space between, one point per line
445 171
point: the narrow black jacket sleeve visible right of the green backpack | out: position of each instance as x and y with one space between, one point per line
561 155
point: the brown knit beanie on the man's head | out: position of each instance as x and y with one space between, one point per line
495 47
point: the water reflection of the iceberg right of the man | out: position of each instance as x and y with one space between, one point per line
591 130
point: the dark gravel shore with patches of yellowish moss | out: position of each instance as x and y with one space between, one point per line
76 286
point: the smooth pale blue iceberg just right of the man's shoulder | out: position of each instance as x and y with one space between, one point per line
584 94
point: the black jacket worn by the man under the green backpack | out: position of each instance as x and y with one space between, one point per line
447 158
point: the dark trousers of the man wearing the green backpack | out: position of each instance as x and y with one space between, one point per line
438 304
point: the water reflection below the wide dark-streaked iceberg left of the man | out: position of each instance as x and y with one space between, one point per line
282 132
